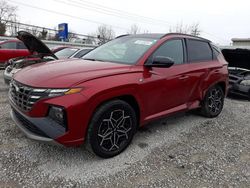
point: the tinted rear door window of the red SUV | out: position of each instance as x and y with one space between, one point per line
199 51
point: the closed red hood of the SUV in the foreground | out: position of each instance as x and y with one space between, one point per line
67 73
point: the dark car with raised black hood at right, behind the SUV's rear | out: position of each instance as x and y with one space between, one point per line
239 71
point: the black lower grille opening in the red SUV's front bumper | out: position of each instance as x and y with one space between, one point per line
28 125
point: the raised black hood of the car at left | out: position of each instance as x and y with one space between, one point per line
34 44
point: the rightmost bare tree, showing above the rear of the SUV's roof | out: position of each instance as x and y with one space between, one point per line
193 29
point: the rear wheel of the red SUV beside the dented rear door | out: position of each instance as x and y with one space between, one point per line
213 102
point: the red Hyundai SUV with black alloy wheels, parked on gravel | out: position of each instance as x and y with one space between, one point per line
116 88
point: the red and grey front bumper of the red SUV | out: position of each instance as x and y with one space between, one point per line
77 118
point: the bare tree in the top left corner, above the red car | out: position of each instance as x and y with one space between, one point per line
7 14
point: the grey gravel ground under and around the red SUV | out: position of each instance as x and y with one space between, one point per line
182 151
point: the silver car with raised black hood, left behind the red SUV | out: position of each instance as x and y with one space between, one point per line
41 53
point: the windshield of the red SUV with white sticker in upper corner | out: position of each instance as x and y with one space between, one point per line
125 50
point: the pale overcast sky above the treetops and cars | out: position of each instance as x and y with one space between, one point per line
220 20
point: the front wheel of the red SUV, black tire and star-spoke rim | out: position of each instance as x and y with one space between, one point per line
112 128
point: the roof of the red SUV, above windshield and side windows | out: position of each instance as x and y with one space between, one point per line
162 35
